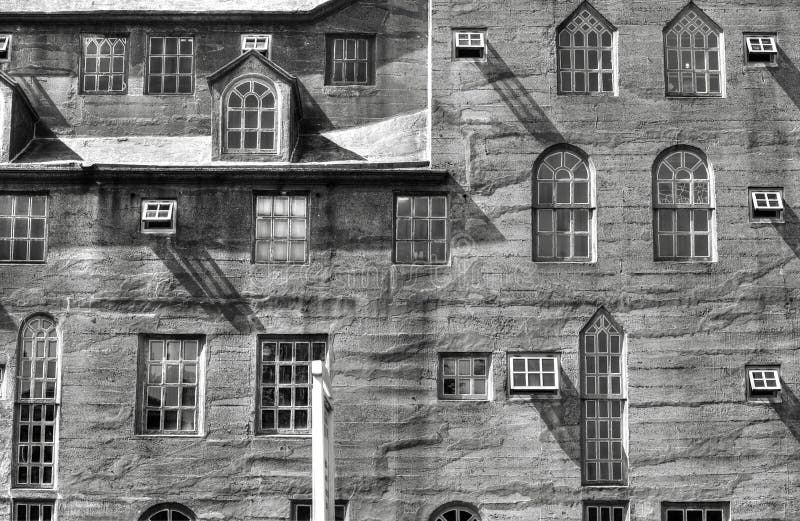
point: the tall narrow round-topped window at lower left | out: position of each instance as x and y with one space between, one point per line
36 409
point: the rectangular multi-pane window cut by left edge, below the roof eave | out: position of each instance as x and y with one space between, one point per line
23 228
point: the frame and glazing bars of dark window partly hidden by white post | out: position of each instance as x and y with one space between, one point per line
311 339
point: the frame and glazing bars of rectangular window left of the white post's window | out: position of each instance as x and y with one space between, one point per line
142 384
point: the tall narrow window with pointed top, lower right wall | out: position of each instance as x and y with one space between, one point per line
603 402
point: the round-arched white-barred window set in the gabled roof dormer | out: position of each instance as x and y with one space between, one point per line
250 118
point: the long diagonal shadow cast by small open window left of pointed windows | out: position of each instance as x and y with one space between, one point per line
516 97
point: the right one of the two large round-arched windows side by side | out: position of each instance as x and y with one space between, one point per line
683 205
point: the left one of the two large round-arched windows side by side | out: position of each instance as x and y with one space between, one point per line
563 206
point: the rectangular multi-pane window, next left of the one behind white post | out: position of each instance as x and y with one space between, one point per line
170 401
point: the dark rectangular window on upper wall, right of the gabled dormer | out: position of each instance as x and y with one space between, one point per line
351 60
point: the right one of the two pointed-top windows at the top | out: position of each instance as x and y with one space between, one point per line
694 55
